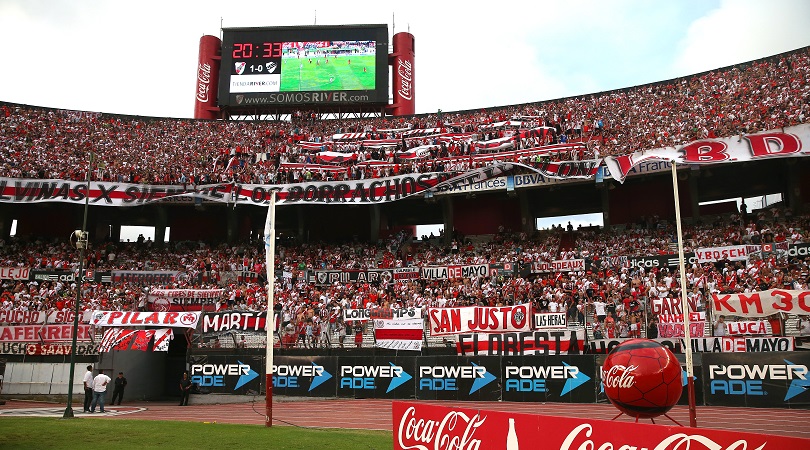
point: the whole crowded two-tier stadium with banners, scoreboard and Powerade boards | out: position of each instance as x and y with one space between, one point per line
363 306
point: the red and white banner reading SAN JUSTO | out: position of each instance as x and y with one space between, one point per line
480 319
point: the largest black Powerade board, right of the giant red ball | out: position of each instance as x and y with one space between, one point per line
770 380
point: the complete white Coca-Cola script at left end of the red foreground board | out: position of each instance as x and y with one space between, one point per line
455 431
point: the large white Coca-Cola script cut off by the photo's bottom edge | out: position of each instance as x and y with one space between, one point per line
580 438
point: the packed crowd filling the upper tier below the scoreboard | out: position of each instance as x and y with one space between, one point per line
46 143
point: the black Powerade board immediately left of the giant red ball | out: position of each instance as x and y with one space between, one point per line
549 379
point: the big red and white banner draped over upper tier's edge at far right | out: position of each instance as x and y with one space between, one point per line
790 142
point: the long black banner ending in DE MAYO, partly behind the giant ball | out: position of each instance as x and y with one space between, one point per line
709 344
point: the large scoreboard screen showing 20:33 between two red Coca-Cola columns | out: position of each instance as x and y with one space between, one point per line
345 64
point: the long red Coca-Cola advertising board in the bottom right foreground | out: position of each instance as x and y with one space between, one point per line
424 426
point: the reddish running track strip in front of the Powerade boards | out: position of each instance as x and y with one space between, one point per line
376 414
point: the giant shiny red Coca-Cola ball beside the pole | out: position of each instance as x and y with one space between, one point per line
642 378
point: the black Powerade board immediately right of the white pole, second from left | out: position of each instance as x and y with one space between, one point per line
305 376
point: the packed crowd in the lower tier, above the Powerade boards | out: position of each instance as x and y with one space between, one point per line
606 287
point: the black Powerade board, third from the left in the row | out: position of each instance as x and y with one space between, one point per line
376 377
